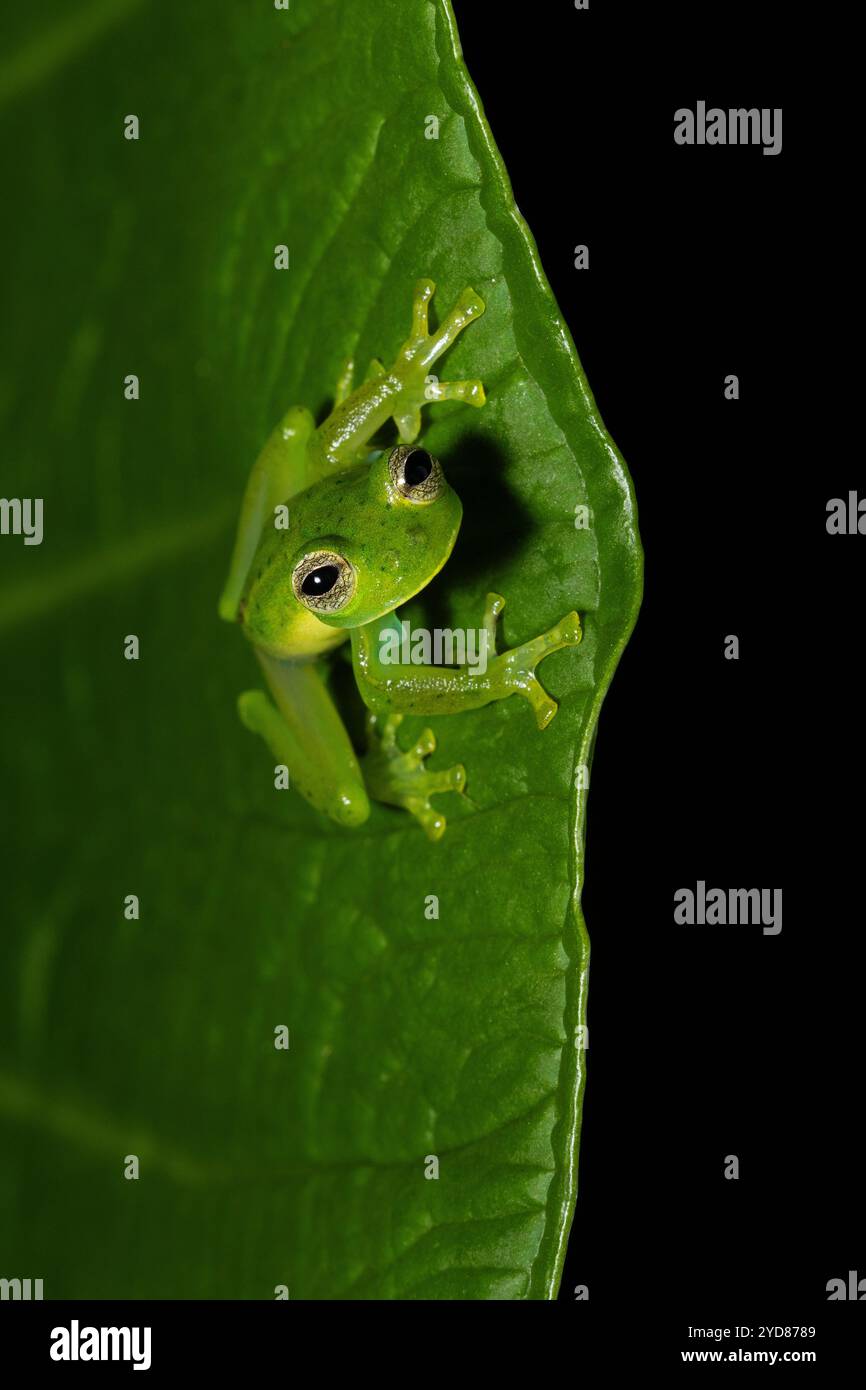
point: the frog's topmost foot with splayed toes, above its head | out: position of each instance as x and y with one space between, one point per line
420 352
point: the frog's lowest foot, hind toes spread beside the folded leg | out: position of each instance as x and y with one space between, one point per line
401 779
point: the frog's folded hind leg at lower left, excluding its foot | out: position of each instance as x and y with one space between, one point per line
305 733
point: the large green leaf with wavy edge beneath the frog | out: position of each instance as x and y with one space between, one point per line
411 1036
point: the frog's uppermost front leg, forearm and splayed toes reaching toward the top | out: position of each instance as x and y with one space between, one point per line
401 393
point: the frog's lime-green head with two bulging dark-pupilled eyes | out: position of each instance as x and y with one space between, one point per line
358 546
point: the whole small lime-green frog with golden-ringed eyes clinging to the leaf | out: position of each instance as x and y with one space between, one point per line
368 532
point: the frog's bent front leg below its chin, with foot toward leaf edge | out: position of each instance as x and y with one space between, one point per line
446 690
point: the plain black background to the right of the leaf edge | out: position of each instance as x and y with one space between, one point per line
707 1042
